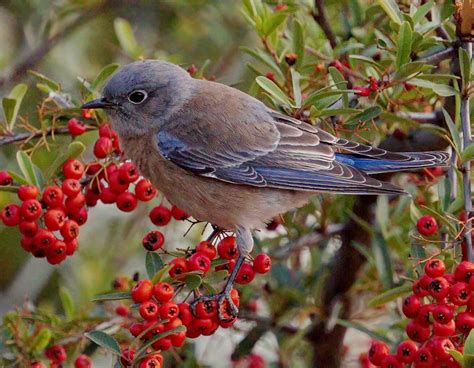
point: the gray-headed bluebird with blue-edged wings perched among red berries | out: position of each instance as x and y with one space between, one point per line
226 158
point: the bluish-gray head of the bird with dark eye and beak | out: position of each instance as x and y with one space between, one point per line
141 96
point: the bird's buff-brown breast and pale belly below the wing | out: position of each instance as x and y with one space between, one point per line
223 204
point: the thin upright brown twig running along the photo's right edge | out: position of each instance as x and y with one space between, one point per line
466 174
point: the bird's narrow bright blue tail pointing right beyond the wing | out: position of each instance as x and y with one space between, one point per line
407 161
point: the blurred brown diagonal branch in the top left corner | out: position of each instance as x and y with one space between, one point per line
34 56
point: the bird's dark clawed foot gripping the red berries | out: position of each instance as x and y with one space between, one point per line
227 310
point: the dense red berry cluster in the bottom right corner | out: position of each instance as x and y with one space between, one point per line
441 313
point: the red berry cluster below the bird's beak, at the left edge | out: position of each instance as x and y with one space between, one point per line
49 221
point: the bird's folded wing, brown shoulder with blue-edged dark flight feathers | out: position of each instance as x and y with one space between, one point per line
231 137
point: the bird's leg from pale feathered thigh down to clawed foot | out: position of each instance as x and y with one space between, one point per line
226 308
